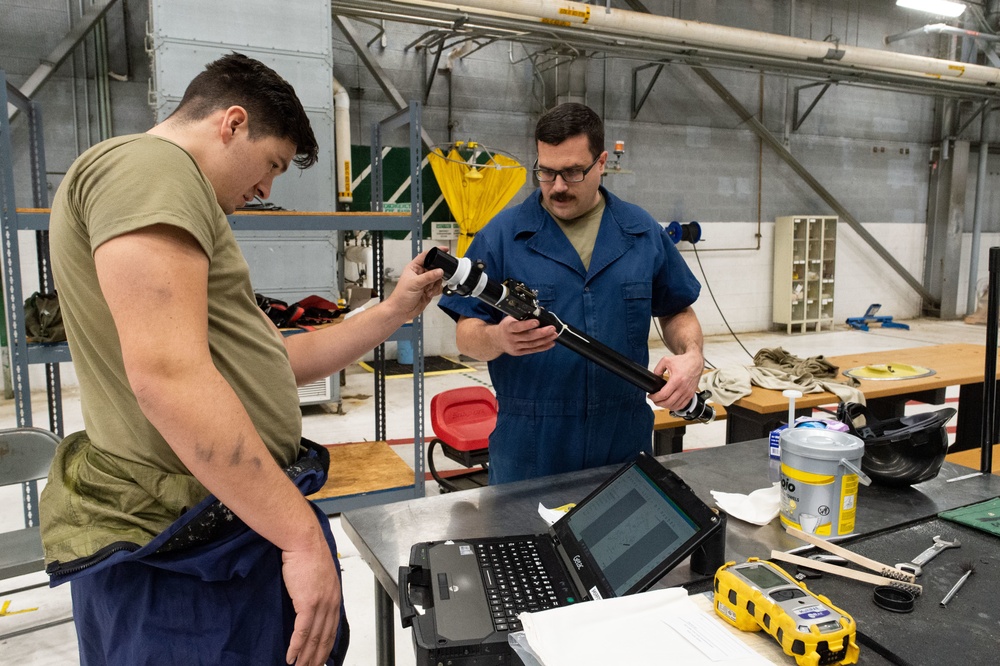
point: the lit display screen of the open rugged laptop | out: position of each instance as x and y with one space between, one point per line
629 528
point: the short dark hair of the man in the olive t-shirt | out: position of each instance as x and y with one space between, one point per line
271 102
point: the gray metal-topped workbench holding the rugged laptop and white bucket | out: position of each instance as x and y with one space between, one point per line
384 534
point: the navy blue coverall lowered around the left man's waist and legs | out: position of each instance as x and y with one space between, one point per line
243 615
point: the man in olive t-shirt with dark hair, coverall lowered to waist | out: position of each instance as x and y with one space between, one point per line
188 390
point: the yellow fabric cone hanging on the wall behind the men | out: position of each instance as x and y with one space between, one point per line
477 183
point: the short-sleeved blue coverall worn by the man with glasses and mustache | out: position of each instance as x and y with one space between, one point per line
558 411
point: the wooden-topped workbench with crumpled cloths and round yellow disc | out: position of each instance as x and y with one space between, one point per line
961 364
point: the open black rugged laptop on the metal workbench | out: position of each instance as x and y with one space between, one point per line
621 539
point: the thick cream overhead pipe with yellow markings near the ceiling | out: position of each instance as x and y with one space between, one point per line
618 21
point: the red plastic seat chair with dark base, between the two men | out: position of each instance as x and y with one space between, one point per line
462 420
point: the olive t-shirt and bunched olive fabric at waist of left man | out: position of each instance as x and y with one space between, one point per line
120 480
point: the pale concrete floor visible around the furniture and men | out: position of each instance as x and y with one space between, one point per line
56 645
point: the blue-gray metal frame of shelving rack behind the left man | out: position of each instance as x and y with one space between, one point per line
22 355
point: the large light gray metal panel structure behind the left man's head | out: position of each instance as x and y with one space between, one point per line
292 37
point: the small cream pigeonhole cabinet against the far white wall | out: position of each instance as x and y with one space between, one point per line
805 253
